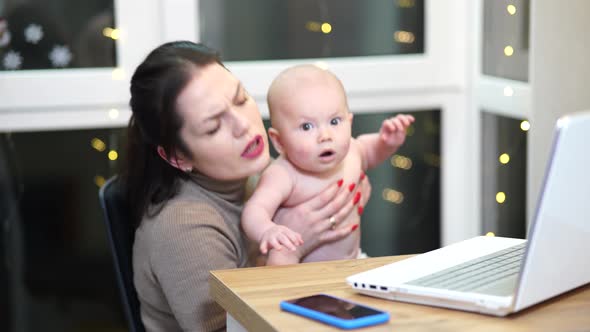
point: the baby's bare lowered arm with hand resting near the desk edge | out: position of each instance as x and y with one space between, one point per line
274 187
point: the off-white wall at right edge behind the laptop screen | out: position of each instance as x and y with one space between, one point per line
559 77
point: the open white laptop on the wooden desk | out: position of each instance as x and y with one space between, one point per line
497 275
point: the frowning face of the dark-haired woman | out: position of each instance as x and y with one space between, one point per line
222 127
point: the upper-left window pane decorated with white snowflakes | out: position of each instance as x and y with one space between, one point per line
57 34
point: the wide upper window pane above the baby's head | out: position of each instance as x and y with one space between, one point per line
270 30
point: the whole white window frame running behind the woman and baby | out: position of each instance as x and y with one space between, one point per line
438 78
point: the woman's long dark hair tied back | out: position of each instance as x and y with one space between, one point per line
158 80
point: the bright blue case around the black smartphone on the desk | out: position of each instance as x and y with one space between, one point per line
379 318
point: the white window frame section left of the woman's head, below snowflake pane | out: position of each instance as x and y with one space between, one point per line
82 97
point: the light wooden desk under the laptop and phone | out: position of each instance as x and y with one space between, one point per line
252 297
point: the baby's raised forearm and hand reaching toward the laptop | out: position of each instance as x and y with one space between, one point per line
377 147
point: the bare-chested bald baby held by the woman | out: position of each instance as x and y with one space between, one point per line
311 129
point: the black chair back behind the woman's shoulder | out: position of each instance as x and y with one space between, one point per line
121 233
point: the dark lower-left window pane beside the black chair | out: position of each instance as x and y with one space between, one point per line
60 275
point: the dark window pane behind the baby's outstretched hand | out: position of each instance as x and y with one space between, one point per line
403 215
